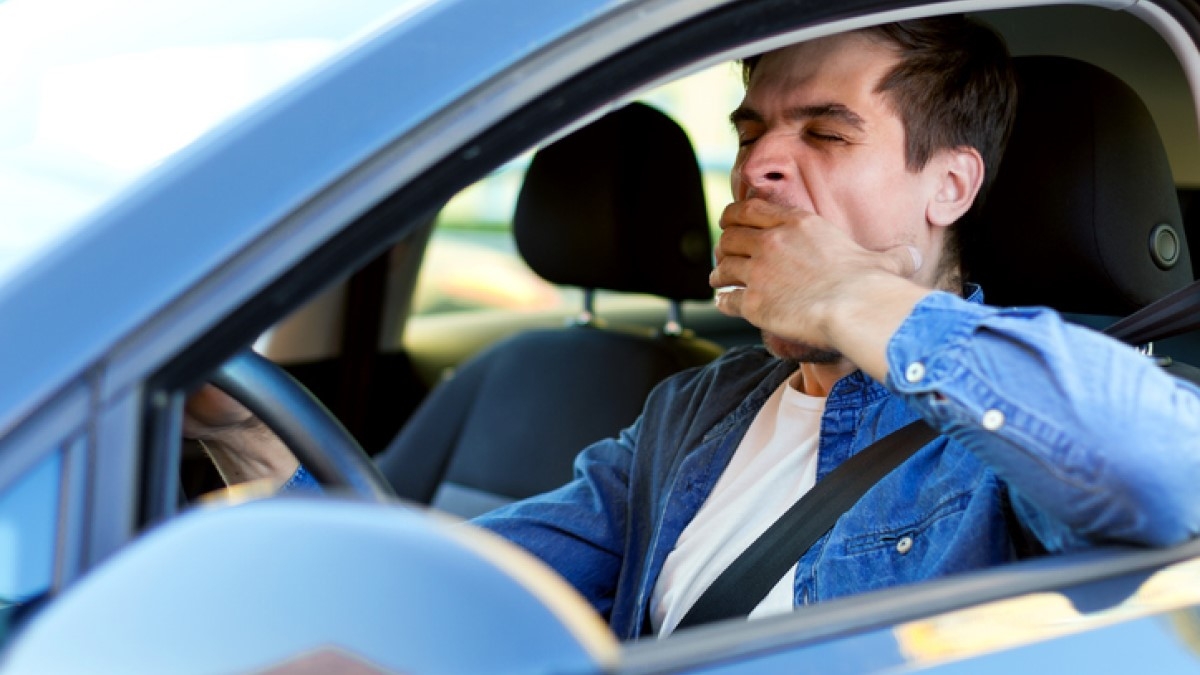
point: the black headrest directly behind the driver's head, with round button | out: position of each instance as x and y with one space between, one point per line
1084 216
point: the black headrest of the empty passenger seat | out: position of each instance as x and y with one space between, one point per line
620 206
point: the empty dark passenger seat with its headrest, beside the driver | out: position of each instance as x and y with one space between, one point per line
616 206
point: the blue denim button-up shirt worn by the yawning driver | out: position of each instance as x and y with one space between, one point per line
1051 432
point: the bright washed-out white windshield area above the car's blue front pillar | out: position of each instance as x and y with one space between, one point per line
94 94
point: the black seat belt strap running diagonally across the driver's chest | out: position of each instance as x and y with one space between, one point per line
748 581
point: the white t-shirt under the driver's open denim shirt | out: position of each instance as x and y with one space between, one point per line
775 465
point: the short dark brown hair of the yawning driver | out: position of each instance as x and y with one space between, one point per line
953 87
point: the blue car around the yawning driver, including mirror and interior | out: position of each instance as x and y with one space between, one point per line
418 238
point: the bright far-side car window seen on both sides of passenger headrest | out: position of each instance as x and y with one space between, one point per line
472 266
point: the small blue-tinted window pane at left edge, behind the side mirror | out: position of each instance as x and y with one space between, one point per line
29 513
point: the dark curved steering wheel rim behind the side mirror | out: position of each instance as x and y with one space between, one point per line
314 435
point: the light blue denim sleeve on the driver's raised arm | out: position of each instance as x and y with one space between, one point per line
1094 440
